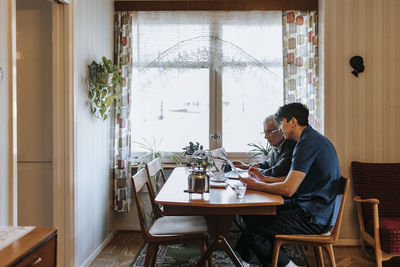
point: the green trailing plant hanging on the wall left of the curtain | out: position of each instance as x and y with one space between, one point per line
104 82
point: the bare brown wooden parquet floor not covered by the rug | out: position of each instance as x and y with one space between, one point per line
123 248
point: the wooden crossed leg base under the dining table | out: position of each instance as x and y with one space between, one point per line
218 227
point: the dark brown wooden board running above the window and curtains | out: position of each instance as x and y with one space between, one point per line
215 5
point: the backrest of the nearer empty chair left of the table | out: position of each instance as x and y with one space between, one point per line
139 180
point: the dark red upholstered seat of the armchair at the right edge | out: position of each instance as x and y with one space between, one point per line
389 231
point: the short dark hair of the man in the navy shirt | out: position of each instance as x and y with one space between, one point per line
293 110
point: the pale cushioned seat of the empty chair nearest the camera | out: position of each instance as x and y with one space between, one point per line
177 225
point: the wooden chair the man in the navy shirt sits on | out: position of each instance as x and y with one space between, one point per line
325 241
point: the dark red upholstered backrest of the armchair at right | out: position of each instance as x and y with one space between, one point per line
377 180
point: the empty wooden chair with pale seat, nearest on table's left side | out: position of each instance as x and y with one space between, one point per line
169 229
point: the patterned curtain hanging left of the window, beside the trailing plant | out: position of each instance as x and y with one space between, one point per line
122 133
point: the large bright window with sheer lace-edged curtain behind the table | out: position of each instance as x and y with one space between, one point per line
210 77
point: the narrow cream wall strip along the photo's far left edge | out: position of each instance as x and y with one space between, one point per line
4 113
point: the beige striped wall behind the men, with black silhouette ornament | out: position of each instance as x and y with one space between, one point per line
362 115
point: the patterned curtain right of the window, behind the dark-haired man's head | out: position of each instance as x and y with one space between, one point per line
300 62
